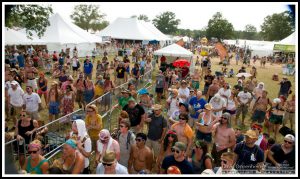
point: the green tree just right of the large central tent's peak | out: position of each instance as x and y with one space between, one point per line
166 22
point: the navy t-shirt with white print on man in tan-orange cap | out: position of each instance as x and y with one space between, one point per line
248 158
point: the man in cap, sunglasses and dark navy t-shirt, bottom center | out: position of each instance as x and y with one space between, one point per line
177 159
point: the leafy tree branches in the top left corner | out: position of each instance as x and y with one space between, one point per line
31 17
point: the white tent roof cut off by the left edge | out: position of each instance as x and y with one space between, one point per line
13 37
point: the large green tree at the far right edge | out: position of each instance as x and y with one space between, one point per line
277 26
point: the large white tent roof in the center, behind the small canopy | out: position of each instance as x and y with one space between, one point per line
132 29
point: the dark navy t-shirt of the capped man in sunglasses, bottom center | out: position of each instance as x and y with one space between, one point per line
185 167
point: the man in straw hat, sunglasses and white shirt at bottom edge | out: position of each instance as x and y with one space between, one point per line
110 165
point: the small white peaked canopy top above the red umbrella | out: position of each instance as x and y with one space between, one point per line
174 50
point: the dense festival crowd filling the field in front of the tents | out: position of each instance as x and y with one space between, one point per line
184 128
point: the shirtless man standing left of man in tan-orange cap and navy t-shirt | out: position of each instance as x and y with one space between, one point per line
224 138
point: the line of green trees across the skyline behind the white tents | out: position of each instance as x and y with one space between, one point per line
89 17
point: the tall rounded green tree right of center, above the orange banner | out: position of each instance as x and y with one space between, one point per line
219 28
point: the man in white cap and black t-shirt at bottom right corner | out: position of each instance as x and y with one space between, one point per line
282 156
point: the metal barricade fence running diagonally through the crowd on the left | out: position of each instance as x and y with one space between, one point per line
59 128
